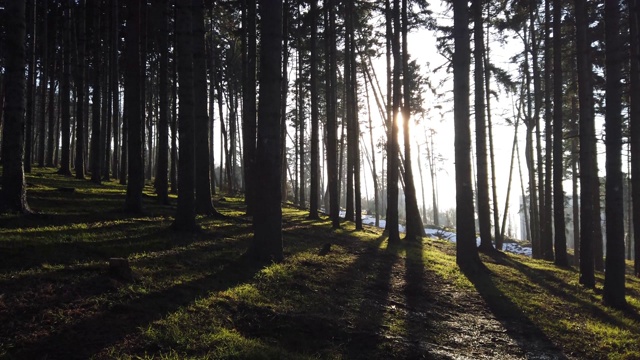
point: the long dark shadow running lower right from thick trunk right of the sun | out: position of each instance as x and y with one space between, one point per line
531 339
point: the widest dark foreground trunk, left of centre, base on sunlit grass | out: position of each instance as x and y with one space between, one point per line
267 219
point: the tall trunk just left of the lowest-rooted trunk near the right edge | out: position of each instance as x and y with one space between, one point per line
588 173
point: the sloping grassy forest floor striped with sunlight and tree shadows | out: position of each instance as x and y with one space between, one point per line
195 296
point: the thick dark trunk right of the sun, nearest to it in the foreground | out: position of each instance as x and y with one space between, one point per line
467 256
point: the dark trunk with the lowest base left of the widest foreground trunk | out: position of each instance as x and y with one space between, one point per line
185 219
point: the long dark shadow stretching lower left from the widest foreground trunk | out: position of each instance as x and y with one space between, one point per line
89 336
